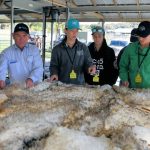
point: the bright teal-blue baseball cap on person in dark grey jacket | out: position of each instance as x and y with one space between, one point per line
72 24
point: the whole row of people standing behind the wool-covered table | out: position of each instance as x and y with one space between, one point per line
72 62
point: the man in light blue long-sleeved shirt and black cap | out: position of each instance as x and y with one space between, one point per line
22 60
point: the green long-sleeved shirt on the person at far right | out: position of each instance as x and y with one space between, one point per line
130 65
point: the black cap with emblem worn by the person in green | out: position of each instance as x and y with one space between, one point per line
143 29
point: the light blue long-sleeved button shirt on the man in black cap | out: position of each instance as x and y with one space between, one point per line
21 64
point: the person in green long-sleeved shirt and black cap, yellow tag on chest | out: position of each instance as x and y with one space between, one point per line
135 61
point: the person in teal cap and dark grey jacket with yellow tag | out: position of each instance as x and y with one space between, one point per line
71 57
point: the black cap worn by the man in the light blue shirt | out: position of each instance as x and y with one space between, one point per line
21 27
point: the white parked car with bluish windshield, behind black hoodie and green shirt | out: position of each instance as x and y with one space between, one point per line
117 45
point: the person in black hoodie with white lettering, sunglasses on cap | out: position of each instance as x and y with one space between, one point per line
103 57
